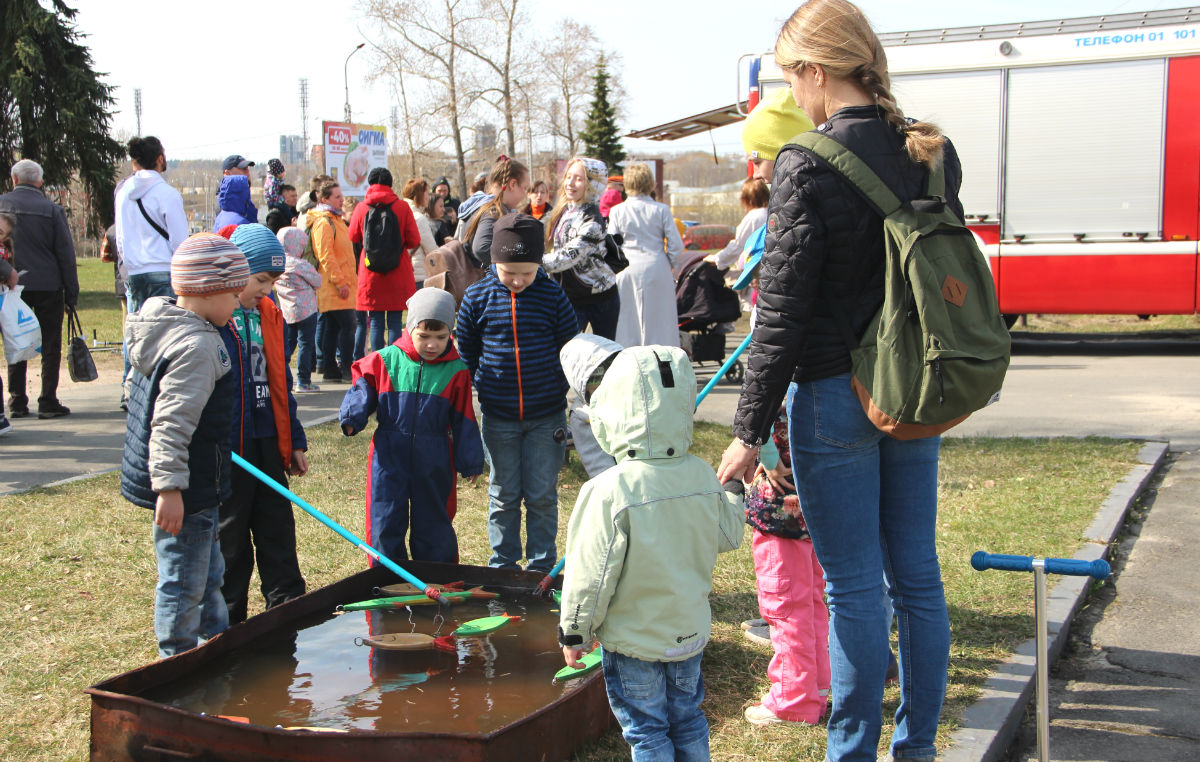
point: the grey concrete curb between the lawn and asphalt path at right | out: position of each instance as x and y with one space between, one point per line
991 724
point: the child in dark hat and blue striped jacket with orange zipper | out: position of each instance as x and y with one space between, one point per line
512 326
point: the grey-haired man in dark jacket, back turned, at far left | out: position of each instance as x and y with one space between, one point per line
45 254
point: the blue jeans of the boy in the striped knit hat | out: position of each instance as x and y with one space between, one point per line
188 603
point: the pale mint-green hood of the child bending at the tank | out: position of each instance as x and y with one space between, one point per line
644 407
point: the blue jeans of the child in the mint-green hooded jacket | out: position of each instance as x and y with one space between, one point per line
658 707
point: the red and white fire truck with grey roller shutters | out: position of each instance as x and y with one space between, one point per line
1081 148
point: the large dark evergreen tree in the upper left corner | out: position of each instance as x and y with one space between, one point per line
53 107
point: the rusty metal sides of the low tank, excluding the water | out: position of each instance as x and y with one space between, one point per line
129 725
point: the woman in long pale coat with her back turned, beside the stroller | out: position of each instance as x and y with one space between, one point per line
652 243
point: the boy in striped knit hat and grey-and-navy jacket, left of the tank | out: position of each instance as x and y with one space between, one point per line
177 439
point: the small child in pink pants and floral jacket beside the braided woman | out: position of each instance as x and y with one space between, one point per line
791 593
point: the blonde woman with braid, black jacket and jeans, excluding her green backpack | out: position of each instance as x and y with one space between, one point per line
871 502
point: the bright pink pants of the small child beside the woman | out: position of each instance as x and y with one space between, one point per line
790 598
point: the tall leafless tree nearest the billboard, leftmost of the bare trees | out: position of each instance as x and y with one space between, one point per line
436 35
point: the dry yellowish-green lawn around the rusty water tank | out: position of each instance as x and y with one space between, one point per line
77 565
